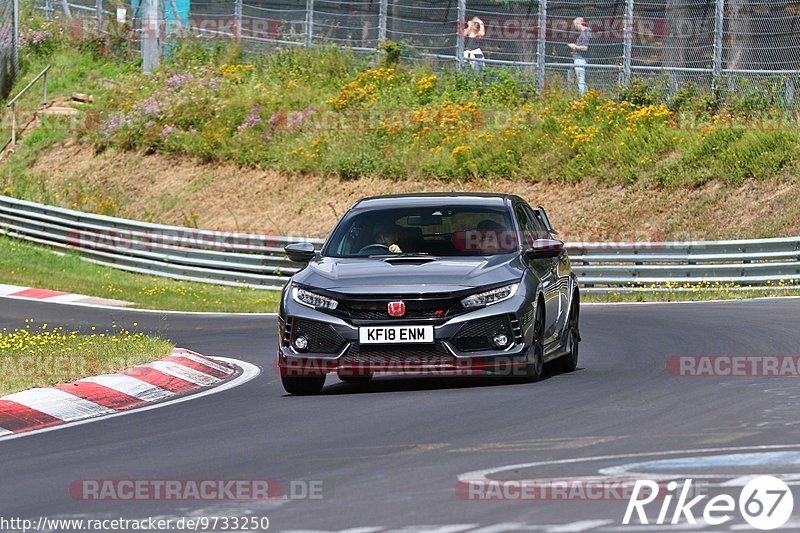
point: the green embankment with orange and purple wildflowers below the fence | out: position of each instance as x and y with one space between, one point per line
329 112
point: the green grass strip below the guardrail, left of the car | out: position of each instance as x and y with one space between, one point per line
33 266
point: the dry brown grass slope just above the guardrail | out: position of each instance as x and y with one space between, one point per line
226 196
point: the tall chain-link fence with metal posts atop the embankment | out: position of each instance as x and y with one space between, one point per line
742 48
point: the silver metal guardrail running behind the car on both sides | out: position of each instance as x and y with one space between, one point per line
253 260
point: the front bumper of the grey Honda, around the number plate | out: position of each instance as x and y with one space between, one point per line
334 344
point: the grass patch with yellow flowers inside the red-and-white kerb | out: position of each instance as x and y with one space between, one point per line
38 356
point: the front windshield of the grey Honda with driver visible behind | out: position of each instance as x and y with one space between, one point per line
441 231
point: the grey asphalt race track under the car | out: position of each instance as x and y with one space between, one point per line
389 453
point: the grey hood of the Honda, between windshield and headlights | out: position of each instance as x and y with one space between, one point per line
378 276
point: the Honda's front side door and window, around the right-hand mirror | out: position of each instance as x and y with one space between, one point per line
544 269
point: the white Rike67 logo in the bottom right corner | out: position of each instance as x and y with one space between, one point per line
765 503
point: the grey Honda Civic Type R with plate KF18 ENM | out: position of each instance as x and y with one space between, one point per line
452 284
